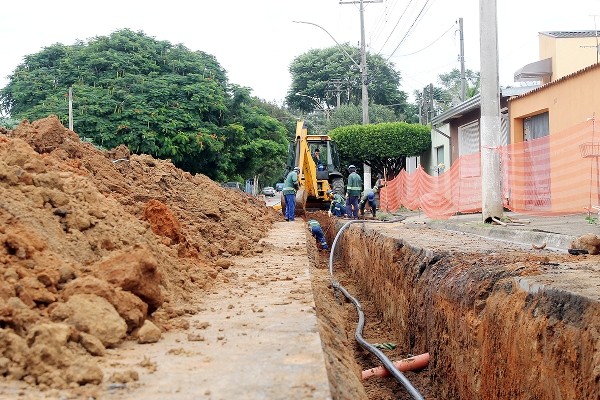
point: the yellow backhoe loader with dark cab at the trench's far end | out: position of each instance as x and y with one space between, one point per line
318 174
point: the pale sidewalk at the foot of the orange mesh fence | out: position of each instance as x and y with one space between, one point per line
556 232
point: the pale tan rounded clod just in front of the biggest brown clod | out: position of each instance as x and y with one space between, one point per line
94 315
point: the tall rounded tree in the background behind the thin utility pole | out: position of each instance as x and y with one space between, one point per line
313 72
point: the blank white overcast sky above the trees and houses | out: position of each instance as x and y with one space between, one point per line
255 41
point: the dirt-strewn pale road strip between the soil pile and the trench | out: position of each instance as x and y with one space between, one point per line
255 336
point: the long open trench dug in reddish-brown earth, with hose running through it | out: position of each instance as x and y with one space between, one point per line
484 310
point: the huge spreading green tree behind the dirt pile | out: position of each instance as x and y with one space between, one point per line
155 97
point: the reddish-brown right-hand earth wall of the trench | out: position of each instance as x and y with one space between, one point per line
489 335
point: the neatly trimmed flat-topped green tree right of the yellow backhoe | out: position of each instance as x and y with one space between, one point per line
384 147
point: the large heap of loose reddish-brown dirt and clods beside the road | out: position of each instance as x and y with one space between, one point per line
97 247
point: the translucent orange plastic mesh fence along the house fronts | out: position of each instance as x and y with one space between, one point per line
556 174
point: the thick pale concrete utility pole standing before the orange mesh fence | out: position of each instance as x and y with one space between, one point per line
491 182
